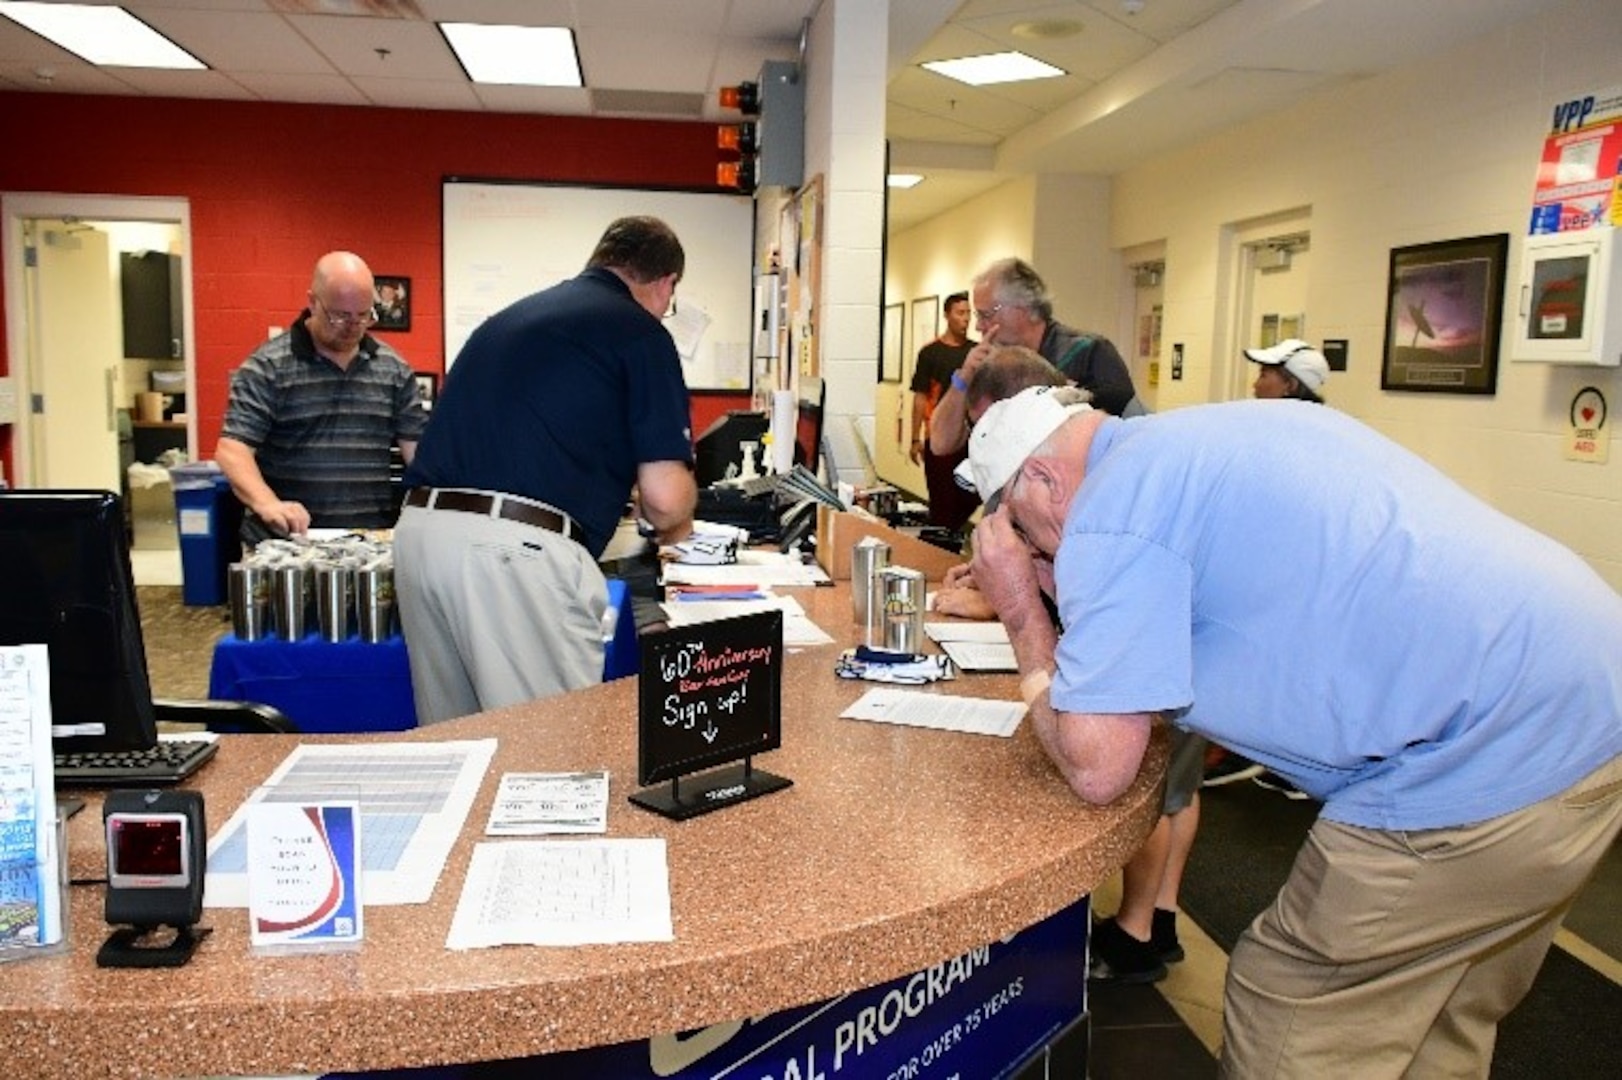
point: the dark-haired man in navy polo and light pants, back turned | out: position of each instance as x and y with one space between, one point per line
556 409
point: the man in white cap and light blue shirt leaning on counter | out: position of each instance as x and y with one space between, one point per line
1451 696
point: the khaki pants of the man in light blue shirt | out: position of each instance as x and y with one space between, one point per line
1396 954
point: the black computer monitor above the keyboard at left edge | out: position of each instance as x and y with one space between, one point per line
66 583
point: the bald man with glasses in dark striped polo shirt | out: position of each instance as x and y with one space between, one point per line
315 411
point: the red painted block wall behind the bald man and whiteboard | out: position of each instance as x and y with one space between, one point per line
275 186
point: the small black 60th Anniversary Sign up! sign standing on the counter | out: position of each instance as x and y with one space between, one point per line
710 695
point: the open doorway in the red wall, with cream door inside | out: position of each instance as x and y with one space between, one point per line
74 385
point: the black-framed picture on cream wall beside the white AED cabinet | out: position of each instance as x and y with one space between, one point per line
1443 317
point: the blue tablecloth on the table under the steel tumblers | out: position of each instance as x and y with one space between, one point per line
356 687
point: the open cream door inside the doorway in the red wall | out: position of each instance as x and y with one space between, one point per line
74 359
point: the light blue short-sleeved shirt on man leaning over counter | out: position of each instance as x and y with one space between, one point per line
1316 598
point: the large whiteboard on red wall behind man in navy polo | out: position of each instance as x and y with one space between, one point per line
505 241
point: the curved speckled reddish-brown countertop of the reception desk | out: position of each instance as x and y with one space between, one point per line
895 851
